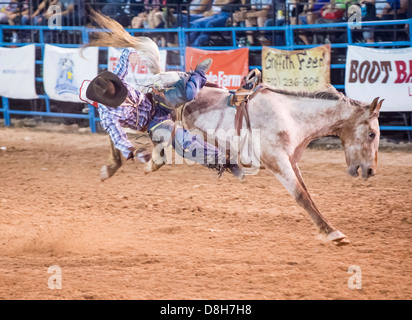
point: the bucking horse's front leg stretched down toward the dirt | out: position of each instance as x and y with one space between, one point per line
289 175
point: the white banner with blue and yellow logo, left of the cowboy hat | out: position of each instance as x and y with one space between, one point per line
65 69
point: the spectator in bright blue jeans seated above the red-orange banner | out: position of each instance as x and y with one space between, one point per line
221 12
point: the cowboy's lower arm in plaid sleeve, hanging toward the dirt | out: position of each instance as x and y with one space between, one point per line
110 122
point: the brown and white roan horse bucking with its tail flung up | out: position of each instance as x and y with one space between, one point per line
287 123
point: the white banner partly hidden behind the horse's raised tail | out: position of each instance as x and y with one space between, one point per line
138 76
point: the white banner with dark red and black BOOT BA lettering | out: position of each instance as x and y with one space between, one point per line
384 73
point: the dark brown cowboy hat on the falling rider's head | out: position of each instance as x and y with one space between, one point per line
98 90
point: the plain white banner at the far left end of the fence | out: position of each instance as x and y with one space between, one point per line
17 72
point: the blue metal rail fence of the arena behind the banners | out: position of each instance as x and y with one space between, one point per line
288 32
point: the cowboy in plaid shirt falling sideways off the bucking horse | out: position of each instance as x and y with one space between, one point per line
120 105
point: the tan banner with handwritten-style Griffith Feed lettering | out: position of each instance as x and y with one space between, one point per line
307 69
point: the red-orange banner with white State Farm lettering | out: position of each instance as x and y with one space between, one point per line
228 67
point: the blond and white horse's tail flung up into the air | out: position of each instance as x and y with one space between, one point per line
117 36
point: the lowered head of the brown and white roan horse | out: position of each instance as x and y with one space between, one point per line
360 140
